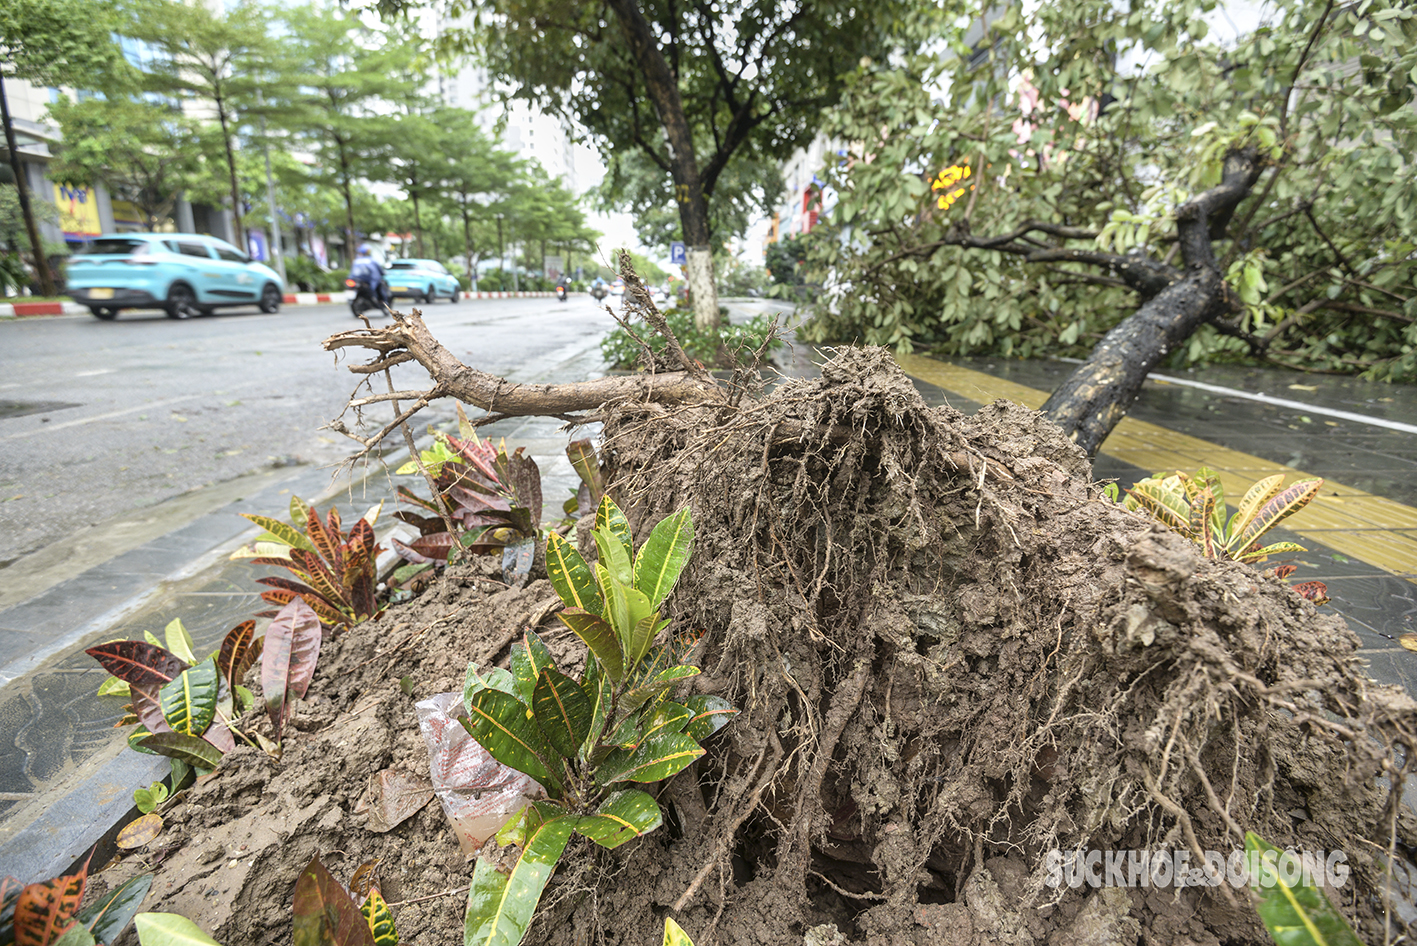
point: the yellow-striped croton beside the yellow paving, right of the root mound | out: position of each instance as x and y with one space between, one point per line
1195 506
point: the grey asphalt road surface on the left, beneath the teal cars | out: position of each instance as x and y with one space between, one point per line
103 418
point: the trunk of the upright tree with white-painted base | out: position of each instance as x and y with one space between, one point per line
689 195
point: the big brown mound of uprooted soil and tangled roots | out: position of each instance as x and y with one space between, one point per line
953 656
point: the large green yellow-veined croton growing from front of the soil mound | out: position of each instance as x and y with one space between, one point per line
587 741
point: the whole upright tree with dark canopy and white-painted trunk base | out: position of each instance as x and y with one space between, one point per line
691 86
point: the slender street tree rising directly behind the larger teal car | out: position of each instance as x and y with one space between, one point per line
213 57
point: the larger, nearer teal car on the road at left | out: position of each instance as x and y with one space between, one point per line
182 274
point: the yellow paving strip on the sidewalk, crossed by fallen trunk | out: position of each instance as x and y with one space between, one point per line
1348 520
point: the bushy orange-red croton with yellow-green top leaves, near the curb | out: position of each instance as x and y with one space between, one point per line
338 571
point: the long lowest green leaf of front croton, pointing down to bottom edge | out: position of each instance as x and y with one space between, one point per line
501 906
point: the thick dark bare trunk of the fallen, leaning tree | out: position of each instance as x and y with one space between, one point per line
1092 401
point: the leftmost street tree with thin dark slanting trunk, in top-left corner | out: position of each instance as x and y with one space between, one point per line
52 43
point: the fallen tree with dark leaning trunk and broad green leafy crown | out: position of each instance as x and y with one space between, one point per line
1116 182
